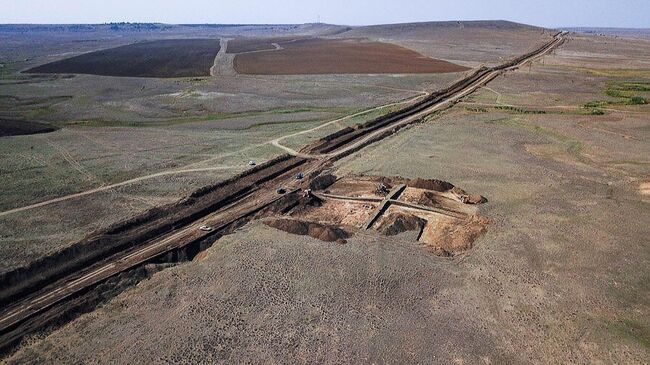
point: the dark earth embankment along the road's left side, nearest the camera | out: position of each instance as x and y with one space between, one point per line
17 283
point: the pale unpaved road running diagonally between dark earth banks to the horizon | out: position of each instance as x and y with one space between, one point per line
260 197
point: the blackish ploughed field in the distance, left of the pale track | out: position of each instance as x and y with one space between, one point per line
163 58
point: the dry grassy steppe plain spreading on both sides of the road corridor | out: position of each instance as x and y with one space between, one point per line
549 160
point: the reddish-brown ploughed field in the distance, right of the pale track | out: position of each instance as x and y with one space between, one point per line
324 56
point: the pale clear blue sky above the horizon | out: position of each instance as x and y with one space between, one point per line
550 13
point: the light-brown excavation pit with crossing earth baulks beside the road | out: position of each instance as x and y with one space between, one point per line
446 218
